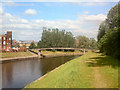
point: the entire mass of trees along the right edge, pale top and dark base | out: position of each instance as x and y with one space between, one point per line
109 33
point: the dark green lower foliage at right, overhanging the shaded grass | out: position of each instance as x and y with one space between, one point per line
109 43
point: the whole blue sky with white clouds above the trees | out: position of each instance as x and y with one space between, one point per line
26 19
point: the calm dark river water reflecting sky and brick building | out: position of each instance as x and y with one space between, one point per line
20 73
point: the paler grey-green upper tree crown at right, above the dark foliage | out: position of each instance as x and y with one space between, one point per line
112 21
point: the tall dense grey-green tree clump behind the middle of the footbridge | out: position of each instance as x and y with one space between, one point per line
56 38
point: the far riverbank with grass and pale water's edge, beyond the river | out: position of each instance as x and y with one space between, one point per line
14 56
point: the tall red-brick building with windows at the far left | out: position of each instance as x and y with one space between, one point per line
6 41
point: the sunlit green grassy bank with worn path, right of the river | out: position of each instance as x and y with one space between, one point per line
92 70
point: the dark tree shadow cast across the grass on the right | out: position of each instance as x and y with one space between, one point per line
103 61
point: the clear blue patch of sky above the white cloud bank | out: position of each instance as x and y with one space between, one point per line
57 10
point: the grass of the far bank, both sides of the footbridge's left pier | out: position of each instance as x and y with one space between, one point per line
46 53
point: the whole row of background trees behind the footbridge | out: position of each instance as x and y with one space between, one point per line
62 38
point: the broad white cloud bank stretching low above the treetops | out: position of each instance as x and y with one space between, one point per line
32 29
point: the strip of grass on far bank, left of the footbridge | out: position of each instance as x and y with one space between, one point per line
15 54
